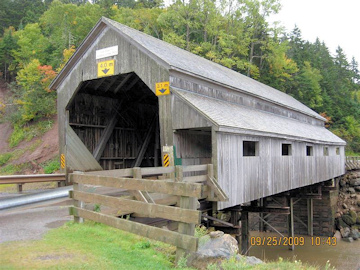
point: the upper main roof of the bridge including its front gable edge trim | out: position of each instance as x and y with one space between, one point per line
174 58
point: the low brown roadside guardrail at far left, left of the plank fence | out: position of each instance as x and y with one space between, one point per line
34 178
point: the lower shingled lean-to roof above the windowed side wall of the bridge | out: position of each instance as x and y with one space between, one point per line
229 116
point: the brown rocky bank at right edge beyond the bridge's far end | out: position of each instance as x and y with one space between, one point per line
348 211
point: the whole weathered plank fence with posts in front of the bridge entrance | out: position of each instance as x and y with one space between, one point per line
183 187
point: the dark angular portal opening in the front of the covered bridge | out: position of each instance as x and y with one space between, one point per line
117 120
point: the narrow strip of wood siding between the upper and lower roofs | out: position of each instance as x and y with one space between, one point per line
202 87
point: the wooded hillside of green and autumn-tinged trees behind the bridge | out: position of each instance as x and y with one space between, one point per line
37 37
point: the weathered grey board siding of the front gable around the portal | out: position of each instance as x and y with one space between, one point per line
130 59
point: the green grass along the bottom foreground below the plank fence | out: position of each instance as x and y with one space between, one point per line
96 246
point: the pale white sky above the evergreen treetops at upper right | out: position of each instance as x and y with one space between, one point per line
336 22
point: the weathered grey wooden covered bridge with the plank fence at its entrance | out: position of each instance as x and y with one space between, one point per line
128 102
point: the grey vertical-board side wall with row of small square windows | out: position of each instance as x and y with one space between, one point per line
249 178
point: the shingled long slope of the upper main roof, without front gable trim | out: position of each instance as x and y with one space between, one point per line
182 60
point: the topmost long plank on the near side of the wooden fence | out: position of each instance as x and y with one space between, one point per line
159 186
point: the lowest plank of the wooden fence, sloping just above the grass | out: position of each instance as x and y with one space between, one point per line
173 238
